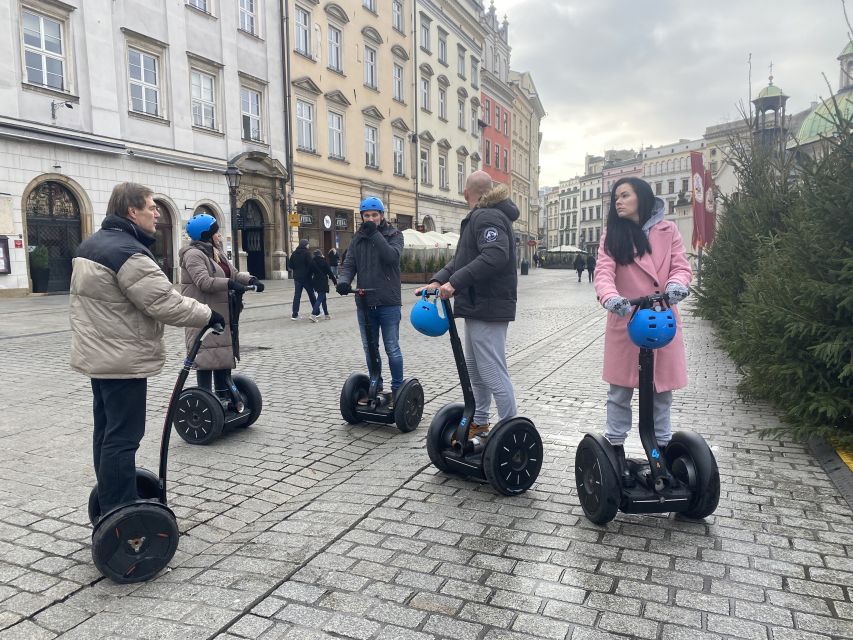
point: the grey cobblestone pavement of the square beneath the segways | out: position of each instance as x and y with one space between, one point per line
303 527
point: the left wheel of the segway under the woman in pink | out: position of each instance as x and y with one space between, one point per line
598 485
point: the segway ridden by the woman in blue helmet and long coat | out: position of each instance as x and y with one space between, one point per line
202 415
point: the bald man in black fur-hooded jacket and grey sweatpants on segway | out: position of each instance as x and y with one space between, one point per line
483 279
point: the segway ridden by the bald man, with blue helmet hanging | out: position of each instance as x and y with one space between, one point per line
509 456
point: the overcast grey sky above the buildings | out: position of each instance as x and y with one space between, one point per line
621 73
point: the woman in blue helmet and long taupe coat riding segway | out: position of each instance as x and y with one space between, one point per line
208 276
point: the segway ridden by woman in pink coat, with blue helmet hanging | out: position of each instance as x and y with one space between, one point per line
683 478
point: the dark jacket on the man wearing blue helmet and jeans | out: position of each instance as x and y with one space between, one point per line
376 261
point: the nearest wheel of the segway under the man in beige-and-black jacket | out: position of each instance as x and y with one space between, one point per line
135 542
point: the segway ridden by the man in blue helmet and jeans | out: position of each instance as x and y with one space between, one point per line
361 400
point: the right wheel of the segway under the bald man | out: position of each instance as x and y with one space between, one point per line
513 456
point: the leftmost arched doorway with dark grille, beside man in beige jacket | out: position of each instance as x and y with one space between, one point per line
53 222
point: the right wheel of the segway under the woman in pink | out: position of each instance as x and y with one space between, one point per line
691 461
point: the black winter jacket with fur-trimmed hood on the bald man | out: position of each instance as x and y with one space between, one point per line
483 269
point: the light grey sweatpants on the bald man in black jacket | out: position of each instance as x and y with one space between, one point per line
485 355
